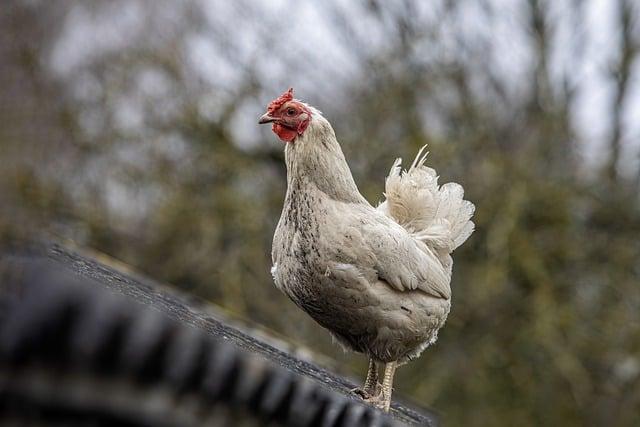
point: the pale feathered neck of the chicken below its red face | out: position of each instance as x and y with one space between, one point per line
315 162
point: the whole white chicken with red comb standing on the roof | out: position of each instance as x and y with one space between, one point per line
376 278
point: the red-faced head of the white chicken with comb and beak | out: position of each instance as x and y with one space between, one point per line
289 116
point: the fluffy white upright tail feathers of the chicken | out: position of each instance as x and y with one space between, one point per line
436 215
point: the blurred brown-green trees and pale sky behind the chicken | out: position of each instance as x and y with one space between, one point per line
131 127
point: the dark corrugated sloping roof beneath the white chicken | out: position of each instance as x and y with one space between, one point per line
83 343
